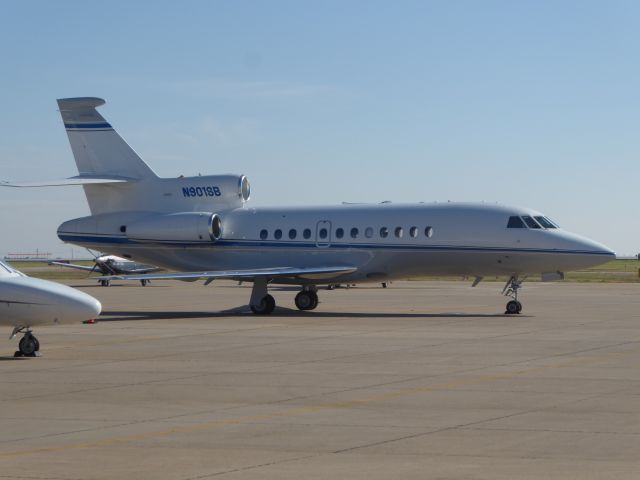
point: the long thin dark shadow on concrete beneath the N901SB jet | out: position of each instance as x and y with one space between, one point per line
120 316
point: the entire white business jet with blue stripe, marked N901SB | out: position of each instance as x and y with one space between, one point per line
204 228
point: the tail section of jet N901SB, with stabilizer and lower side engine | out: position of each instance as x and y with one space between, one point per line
128 201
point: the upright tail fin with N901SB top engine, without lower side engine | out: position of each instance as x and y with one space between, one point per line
116 179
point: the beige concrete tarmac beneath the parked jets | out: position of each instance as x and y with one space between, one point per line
420 380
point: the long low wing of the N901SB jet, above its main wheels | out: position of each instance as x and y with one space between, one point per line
309 273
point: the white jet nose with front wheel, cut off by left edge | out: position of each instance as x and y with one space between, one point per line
26 302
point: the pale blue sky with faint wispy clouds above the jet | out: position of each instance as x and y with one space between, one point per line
526 103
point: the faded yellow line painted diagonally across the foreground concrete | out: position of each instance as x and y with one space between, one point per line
298 411
